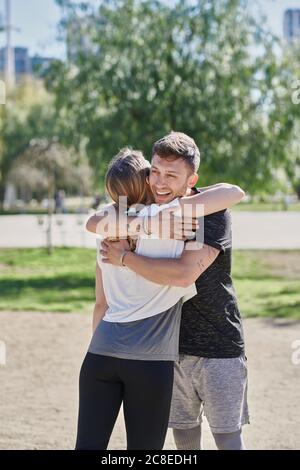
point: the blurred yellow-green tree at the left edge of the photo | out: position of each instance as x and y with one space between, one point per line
29 116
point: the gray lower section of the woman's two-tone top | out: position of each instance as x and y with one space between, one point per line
151 339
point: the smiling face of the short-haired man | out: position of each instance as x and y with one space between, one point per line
170 178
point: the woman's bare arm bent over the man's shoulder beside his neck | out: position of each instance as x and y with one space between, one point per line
213 199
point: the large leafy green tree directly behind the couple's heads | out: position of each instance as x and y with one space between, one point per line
146 67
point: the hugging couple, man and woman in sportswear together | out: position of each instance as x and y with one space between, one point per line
167 333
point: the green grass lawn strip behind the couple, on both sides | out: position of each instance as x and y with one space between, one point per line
267 282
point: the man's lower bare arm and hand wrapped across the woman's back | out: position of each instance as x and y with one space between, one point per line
180 272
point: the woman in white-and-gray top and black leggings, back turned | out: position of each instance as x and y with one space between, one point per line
136 327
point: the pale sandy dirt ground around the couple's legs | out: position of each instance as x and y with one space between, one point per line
38 384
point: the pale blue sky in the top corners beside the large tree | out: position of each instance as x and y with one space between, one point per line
37 23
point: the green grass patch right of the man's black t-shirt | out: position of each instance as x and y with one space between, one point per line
268 283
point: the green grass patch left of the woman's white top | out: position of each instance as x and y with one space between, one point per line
30 279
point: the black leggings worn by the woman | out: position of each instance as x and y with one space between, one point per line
144 387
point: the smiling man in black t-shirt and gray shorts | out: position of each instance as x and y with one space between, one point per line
211 375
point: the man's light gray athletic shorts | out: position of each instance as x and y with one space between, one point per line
217 387
